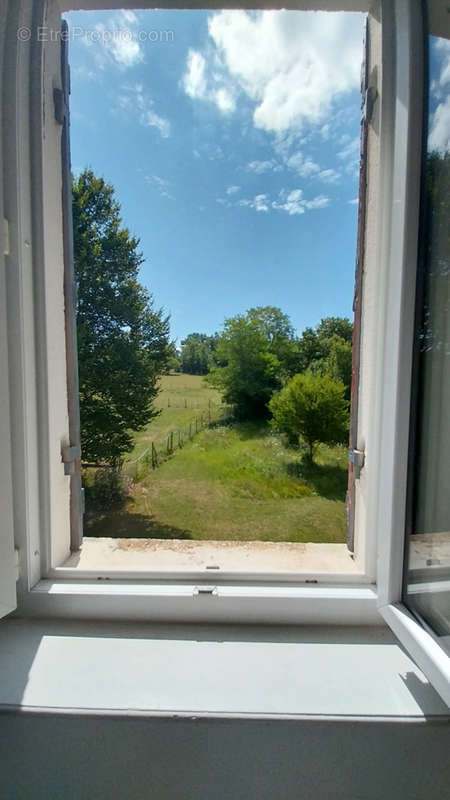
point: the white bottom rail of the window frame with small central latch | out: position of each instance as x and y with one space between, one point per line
189 602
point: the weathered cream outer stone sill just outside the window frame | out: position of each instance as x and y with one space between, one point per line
213 560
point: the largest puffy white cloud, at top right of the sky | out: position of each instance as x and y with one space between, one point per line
291 66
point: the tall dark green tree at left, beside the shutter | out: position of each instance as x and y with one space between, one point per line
123 342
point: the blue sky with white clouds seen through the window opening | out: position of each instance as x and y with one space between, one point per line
233 143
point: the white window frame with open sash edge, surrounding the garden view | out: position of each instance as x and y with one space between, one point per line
38 425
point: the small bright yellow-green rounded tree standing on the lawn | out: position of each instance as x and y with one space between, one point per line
312 407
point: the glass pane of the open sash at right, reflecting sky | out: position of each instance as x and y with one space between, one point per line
428 577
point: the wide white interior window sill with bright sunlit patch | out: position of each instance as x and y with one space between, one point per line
211 671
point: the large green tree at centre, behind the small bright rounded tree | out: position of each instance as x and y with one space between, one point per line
251 374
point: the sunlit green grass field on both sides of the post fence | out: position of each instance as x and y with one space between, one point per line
230 482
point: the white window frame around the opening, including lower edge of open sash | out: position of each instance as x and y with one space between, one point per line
37 380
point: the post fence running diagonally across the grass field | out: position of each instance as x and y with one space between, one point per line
161 449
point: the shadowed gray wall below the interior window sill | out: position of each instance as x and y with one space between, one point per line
63 756
